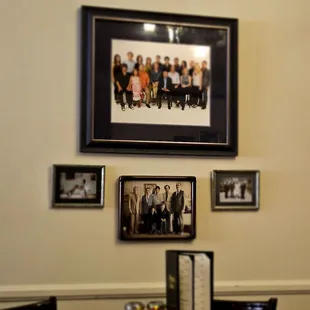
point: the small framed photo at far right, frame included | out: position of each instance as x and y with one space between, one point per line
235 190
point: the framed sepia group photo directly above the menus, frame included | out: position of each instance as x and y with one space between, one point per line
157 208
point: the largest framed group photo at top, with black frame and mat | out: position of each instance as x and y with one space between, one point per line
155 83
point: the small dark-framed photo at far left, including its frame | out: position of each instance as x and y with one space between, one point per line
78 186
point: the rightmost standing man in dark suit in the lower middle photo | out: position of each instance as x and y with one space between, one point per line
178 208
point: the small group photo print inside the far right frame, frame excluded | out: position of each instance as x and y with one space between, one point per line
235 190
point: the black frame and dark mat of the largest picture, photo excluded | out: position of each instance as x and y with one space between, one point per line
98 134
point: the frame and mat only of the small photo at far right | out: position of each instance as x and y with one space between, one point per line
215 206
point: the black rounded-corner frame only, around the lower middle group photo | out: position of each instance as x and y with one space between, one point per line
149 179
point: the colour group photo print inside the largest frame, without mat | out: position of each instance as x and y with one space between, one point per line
160 83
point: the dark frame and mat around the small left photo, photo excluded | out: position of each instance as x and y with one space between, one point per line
87 203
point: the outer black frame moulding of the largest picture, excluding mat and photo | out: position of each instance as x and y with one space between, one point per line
89 144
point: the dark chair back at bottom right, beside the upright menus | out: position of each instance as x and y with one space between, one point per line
270 304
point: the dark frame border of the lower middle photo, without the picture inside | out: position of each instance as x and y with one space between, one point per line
123 235
